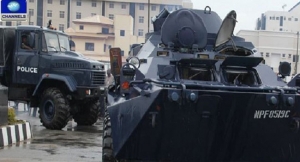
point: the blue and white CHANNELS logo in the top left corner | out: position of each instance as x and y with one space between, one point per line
13 10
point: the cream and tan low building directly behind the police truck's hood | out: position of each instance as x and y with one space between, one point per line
95 35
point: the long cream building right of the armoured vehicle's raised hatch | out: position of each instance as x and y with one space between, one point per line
274 46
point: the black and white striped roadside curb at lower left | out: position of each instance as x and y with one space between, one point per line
15 133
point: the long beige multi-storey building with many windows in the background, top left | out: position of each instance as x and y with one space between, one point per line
62 12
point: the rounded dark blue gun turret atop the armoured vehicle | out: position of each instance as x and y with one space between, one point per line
184 29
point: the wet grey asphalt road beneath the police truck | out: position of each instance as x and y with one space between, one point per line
70 144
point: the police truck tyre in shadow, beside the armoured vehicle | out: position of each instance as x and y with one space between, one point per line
88 115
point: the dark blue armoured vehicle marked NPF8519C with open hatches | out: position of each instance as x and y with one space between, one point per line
195 92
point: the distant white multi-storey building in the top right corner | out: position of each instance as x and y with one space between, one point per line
280 20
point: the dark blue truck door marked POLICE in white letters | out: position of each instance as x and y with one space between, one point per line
27 58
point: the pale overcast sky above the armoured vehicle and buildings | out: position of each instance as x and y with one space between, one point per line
247 10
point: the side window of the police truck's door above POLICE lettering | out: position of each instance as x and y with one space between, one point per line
27 40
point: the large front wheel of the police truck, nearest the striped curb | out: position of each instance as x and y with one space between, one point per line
54 109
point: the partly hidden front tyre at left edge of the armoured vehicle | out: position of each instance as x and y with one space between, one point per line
107 143
